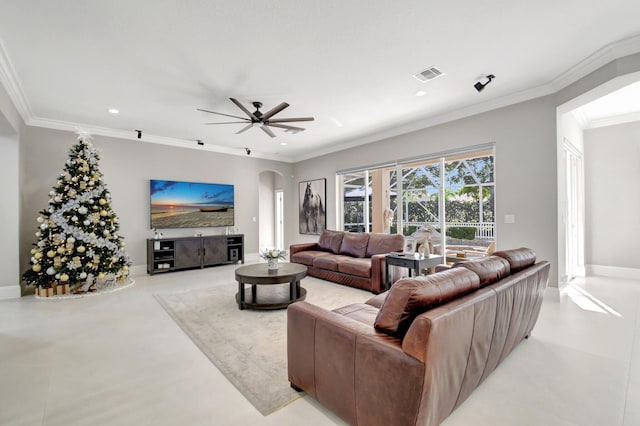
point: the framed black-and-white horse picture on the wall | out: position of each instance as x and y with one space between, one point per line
313 214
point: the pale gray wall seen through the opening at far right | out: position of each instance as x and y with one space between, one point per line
612 175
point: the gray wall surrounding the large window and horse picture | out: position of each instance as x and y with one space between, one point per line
525 140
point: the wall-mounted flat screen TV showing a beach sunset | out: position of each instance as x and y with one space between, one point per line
190 204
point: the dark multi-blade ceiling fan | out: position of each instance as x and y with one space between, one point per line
263 121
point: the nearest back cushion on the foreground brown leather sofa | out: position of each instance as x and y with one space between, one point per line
410 297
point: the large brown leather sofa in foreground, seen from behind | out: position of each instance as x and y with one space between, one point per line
411 355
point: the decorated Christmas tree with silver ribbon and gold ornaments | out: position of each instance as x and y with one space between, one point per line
78 246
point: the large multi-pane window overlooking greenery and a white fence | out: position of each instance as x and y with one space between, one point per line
465 181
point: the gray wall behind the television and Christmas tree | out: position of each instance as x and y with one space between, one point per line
127 166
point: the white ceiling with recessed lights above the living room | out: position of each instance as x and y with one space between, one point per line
347 63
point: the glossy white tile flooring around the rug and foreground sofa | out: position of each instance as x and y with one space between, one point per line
118 359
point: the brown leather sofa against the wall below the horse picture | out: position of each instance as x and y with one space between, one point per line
349 258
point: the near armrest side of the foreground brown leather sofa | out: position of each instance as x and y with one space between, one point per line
351 368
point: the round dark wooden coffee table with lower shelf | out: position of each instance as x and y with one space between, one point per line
258 274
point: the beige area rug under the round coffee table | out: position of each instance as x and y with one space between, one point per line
250 347
